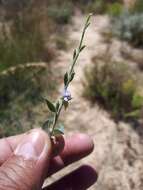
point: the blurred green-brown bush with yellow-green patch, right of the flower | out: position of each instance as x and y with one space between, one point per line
114 87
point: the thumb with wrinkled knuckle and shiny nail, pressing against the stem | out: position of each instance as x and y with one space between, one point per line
25 169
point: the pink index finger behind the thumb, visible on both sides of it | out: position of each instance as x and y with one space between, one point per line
76 147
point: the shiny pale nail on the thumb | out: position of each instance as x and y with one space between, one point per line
32 146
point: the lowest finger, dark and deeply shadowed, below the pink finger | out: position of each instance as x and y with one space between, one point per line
80 179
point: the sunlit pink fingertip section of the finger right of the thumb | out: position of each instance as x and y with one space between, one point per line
76 147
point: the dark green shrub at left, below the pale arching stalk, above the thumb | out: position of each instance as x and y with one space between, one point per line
20 93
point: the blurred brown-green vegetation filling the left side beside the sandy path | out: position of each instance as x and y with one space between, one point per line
28 37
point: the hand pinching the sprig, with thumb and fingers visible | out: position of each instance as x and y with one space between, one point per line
27 159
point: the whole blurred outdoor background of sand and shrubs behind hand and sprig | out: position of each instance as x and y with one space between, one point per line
37 39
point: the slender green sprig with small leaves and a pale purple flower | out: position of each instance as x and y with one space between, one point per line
52 125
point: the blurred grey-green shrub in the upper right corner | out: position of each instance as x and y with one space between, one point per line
129 27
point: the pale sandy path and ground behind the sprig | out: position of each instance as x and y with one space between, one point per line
118 153
